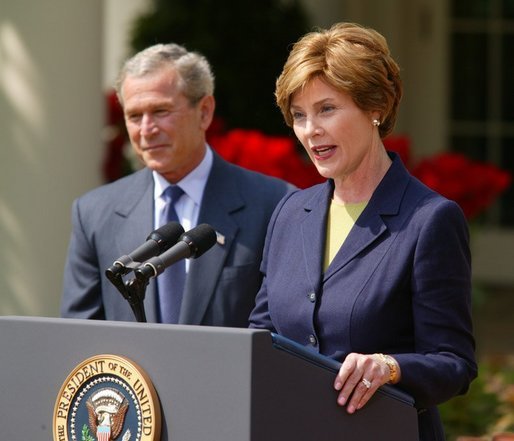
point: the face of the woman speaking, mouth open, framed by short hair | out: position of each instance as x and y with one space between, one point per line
338 136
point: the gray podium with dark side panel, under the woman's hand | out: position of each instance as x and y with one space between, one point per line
213 384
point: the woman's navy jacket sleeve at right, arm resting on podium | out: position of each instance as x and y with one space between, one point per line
444 364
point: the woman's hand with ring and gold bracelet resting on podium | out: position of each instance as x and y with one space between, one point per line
359 378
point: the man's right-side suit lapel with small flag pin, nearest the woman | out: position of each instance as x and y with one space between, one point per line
220 200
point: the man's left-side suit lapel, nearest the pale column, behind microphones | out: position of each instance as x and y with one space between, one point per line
135 214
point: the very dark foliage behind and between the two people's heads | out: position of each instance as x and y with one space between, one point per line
246 42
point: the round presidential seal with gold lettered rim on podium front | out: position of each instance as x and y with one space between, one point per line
107 398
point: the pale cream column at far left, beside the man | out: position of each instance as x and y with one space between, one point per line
50 144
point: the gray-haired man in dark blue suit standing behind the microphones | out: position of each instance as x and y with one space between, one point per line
167 96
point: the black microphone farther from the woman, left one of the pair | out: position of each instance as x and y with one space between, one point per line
157 242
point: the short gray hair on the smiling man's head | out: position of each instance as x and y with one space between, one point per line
196 79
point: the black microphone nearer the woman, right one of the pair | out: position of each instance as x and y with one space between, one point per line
191 244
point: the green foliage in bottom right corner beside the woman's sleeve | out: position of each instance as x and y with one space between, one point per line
488 407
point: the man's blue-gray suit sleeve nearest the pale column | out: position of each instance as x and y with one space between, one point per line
81 296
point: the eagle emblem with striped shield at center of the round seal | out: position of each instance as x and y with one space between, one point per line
106 410
